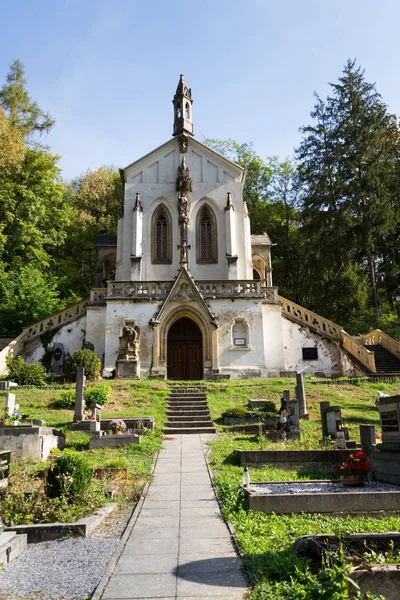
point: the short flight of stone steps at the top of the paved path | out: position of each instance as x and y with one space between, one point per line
188 411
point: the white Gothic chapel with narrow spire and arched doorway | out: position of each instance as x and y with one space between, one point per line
183 303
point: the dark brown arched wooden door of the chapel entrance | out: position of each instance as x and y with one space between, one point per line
184 350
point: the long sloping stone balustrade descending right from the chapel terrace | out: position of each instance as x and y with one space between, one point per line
330 330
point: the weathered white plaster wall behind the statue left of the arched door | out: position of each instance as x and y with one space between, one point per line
117 313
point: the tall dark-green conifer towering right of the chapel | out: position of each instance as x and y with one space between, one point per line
347 162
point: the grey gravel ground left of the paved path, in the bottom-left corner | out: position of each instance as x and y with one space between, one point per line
65 569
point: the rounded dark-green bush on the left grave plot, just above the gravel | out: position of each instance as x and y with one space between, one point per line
70 476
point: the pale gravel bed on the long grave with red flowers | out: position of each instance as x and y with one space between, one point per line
267 489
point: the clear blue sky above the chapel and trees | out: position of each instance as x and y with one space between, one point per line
107 70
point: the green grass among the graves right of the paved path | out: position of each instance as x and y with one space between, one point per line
266 540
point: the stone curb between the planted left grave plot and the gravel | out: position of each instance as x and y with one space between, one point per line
47 532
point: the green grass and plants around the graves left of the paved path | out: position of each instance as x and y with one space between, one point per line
127 399
